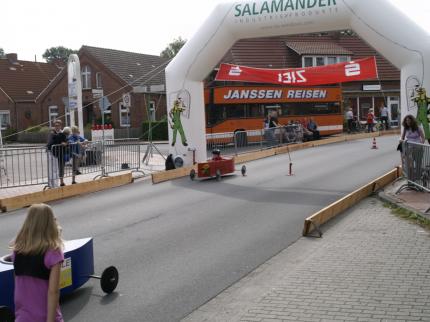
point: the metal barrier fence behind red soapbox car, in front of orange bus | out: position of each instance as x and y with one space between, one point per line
234 143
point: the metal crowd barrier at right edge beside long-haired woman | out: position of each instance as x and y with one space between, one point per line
416 166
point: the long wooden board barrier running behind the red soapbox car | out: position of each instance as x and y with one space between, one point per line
163 176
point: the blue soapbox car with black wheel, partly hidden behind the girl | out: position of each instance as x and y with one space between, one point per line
76 270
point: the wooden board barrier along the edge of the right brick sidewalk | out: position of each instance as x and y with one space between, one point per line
313 222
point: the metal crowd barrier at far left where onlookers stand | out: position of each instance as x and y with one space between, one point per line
39 166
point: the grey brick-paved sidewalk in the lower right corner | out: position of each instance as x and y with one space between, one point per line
369 266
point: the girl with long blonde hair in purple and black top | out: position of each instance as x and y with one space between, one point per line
37 258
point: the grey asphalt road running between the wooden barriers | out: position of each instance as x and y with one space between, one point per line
180 243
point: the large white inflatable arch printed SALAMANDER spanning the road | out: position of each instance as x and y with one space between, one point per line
378 22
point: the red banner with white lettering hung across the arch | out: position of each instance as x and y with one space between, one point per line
360 69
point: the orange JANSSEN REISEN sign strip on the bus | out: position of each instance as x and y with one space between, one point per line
243 94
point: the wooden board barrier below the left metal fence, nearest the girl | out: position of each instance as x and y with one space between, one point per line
18 202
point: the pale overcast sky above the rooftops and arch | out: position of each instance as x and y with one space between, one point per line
29 27
